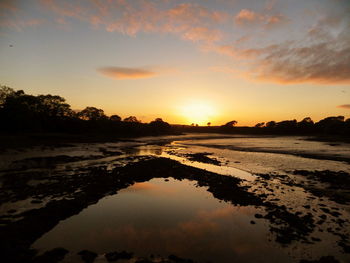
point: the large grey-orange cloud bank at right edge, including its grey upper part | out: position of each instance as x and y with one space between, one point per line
321 55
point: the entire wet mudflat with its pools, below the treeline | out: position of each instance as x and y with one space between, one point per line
292 205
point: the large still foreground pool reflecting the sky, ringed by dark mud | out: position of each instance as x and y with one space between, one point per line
165 216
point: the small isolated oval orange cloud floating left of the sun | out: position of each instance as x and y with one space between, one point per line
126 73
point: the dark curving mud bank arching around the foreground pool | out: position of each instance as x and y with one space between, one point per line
72 193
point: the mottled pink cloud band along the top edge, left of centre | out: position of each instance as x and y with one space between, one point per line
190 21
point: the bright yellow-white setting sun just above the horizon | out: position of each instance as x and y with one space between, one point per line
198 112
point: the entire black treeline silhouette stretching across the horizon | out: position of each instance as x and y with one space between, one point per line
21 113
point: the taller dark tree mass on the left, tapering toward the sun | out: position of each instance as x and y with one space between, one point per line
24 113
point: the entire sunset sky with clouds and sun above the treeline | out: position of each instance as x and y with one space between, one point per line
194 61
